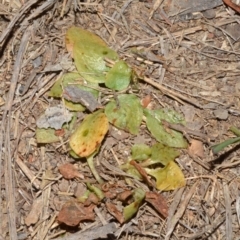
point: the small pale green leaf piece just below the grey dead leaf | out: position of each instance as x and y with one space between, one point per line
46 135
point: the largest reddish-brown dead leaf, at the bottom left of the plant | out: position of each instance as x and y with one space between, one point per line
72 213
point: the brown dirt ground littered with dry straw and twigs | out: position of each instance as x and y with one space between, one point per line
195 67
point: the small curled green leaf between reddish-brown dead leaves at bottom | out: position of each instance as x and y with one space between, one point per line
131 209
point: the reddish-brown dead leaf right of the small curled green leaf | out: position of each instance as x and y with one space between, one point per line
158 202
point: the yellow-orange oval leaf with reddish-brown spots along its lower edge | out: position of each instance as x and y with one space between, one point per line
89 135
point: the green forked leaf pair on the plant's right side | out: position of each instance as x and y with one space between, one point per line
171 137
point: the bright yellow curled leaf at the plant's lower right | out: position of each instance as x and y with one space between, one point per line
168 178
